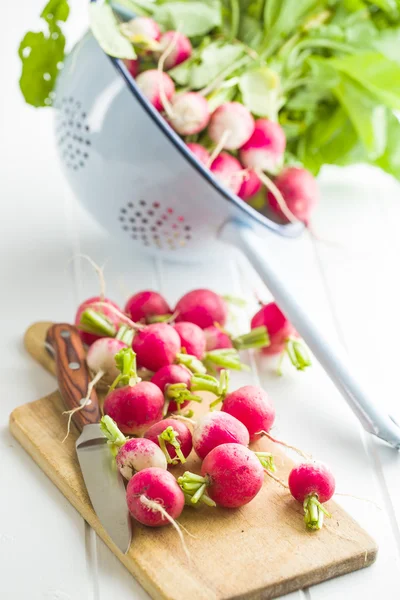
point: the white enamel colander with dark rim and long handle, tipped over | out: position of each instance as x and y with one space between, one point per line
139 180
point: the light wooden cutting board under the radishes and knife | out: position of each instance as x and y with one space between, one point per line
261 550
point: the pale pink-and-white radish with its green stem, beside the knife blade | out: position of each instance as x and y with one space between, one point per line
131 455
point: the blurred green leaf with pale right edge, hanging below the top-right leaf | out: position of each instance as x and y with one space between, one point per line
368 117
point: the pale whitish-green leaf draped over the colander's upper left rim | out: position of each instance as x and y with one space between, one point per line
104 27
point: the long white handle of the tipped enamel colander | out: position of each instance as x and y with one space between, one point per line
369 414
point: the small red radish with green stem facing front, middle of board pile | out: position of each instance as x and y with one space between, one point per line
175 382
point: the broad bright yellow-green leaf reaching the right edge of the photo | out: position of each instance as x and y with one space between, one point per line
379 75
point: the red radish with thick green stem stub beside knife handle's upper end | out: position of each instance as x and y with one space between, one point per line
101 319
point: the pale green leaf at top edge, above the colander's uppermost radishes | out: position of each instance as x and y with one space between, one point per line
190 18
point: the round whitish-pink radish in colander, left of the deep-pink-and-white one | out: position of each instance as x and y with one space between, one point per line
233 123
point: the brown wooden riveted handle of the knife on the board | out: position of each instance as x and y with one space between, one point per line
72 373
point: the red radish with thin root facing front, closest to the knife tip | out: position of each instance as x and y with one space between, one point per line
154 498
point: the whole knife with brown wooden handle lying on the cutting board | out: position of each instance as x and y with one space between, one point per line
103 481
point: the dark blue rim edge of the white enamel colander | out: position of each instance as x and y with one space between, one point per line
287 230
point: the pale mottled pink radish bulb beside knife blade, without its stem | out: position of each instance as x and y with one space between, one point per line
138 454
